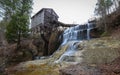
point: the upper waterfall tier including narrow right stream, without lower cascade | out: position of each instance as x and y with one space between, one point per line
79 32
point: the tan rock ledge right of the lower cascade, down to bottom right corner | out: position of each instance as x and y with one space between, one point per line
101 57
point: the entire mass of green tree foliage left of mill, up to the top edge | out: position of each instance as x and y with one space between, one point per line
17 13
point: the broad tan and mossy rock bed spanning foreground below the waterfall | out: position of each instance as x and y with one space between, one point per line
96 53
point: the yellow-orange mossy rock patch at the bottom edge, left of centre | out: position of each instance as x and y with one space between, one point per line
39 70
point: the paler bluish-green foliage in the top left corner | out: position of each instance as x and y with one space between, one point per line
8 8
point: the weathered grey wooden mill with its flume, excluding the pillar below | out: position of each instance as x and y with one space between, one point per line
46 20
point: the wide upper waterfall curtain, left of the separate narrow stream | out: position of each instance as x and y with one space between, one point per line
74 33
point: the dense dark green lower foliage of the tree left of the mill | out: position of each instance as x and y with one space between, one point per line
17 26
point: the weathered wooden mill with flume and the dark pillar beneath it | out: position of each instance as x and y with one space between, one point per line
44 23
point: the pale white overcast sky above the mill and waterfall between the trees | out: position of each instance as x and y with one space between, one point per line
69 11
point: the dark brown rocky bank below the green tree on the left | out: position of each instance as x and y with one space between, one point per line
10 55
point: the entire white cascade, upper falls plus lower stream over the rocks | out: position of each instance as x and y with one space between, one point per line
72 36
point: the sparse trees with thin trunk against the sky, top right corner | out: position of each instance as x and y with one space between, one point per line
104 8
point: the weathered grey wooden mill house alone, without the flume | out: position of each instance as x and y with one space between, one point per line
42 20
